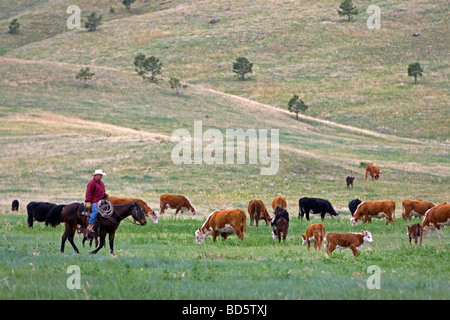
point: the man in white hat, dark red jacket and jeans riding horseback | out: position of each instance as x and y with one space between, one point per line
95 191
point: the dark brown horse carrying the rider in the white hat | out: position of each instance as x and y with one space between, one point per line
72 218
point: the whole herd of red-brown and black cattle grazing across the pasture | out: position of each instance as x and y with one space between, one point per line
233 221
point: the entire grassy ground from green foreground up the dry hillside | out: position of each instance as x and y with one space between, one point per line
363 108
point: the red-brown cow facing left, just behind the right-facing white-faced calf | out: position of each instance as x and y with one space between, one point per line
374 209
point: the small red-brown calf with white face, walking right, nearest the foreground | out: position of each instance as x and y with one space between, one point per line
352 241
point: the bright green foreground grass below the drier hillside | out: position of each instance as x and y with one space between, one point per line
162 261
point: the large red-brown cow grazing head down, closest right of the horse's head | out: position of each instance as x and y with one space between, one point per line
223 223
